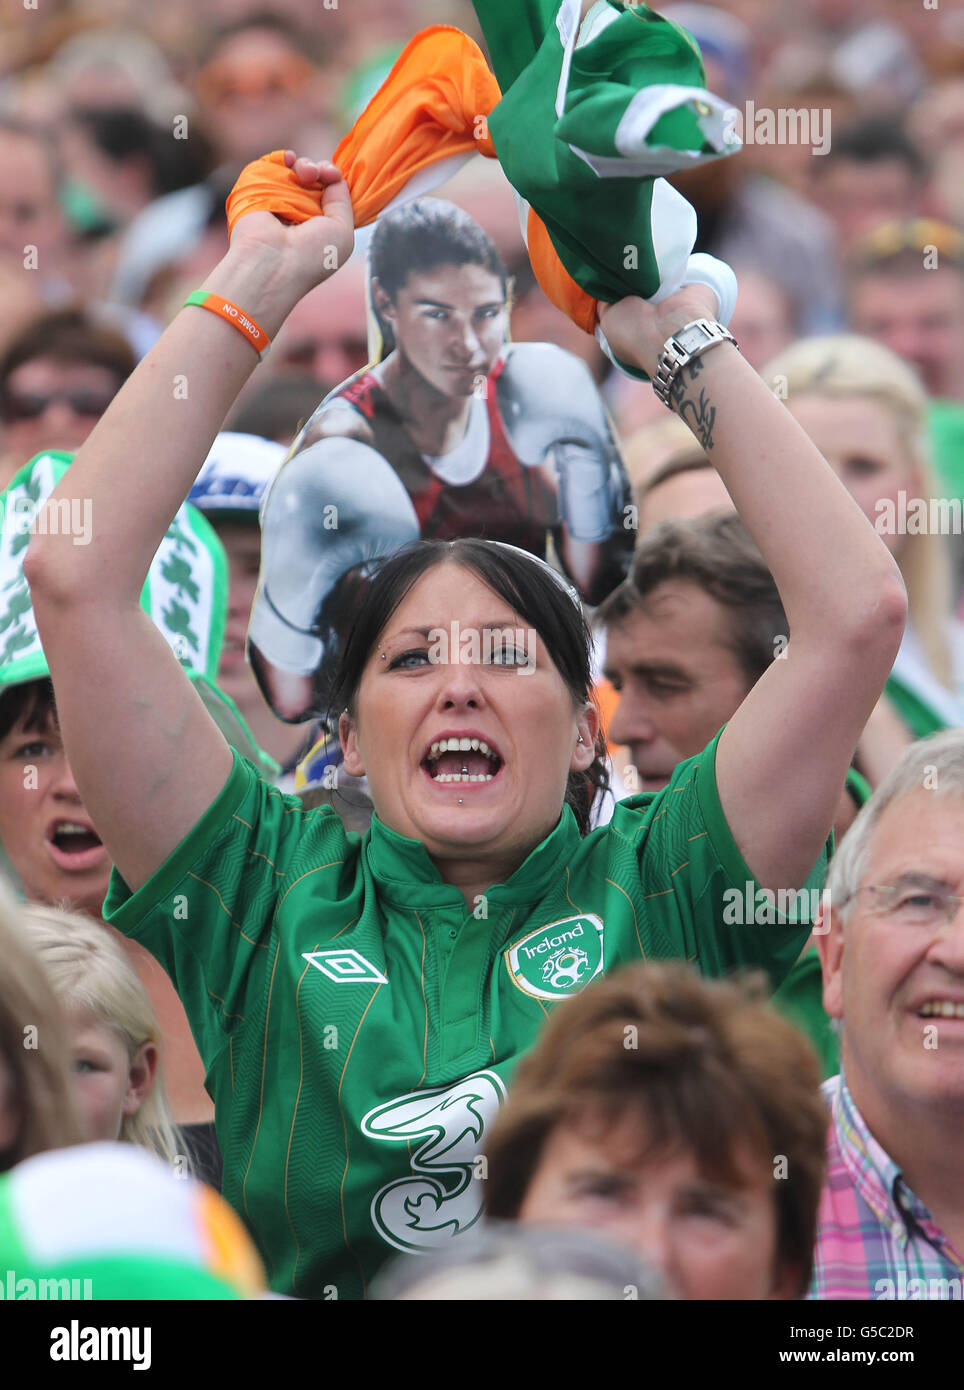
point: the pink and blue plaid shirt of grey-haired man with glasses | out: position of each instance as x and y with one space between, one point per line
874 1238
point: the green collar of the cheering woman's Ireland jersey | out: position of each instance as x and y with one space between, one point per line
406 874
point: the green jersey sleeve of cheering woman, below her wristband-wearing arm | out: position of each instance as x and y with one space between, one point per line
208 914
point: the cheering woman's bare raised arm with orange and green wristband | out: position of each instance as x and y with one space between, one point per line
147 758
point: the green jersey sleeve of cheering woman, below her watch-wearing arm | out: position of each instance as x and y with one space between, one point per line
698 889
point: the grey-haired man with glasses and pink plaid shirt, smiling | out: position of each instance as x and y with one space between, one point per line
892 950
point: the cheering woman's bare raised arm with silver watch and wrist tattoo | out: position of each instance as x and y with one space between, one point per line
784 757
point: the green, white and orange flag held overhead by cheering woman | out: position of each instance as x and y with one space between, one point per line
585 113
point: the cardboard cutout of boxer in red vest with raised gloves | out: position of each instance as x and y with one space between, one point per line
452 432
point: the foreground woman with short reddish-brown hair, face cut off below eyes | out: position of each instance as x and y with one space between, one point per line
677 1115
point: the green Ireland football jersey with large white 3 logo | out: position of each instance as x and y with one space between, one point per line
360 1025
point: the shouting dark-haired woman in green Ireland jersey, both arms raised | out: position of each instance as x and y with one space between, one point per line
360 1004
